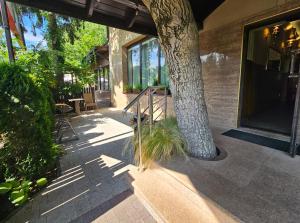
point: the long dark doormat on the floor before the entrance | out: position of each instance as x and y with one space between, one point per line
259 140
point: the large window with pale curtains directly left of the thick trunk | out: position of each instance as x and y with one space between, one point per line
146 65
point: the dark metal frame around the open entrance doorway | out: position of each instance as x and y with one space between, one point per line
288 15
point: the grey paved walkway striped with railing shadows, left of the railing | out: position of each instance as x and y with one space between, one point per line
94 185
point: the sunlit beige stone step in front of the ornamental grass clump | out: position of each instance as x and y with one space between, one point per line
169 200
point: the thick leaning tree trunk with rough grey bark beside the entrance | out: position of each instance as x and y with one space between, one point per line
179 38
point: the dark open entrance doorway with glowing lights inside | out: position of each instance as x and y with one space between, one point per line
271 69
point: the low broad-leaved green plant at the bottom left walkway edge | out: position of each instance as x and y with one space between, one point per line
19 190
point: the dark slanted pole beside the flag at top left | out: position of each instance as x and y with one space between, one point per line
7 30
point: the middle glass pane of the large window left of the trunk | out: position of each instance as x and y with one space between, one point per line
149 62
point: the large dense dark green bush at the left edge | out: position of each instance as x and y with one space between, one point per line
26 124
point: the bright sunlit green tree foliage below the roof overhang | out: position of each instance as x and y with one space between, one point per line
68 42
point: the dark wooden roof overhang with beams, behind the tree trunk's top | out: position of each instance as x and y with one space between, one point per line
131 15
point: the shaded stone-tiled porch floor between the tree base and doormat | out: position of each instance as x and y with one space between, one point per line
254 183
